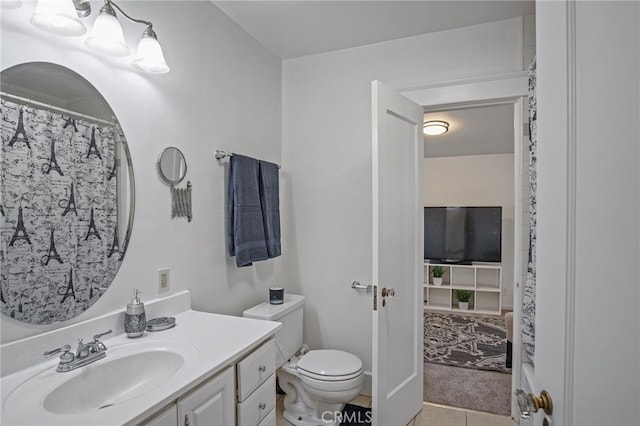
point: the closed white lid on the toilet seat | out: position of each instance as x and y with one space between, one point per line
329 362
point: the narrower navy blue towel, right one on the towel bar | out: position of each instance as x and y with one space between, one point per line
270 199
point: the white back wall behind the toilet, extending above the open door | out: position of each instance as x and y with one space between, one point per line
327 147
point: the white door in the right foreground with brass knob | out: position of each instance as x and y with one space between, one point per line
587 328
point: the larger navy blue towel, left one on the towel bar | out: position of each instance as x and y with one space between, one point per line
245 225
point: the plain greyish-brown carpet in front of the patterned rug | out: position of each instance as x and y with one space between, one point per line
480 390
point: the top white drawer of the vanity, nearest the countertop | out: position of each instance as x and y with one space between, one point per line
255 369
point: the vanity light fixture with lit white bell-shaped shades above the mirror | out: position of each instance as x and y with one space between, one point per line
62 17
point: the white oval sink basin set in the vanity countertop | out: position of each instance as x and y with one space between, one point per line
127 372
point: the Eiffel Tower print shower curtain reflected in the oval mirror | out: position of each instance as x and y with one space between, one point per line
59 247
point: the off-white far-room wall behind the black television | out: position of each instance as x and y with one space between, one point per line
477 180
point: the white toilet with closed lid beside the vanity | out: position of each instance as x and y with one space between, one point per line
318 382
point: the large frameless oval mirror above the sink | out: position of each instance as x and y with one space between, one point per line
66 194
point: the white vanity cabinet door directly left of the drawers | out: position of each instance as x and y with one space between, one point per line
211 404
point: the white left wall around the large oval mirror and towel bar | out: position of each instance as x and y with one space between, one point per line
223 91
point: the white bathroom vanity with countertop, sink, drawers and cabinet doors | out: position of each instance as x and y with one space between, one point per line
207 370
